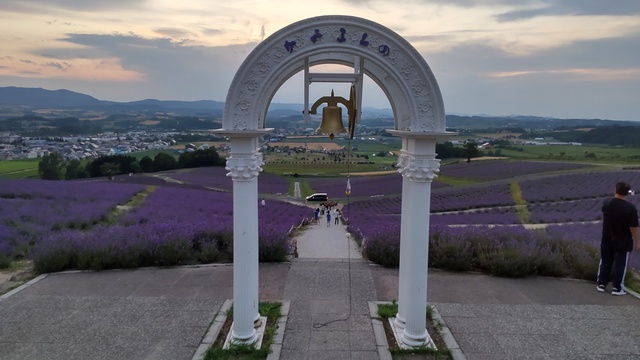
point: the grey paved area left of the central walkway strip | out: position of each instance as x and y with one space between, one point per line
153 313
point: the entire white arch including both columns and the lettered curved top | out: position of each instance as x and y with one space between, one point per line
413 93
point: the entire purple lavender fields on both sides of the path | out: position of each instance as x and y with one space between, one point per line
186 217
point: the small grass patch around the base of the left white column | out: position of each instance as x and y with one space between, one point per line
247 352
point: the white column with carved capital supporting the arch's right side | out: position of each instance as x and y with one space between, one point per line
418 166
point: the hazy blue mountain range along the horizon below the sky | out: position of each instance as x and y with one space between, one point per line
16 101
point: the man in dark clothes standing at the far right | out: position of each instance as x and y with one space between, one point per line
619 232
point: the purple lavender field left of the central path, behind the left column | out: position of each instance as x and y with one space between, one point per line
83 227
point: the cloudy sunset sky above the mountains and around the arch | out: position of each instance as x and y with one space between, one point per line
558 58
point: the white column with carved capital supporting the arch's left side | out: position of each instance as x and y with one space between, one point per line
244 166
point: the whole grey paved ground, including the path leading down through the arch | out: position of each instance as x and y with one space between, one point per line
164 313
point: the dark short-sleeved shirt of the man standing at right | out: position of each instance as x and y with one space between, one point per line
617 217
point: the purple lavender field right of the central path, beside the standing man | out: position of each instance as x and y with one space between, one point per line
489 230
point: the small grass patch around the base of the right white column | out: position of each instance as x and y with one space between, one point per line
386 311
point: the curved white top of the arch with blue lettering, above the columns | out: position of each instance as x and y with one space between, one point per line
402 73
